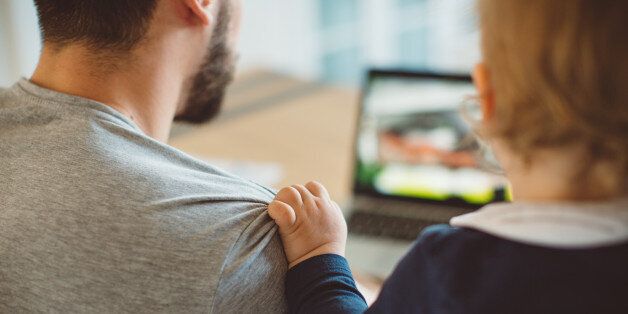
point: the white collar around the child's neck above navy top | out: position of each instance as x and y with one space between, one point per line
554 225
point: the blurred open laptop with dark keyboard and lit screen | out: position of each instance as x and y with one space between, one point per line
417 160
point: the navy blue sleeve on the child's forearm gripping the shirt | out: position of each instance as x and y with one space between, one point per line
323 284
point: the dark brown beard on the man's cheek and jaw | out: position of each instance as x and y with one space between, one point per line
207 88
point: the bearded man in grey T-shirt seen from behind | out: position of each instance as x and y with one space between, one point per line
97 213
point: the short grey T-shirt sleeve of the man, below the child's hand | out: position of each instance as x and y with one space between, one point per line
252 279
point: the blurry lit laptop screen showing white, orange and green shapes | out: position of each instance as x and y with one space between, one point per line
413 142
